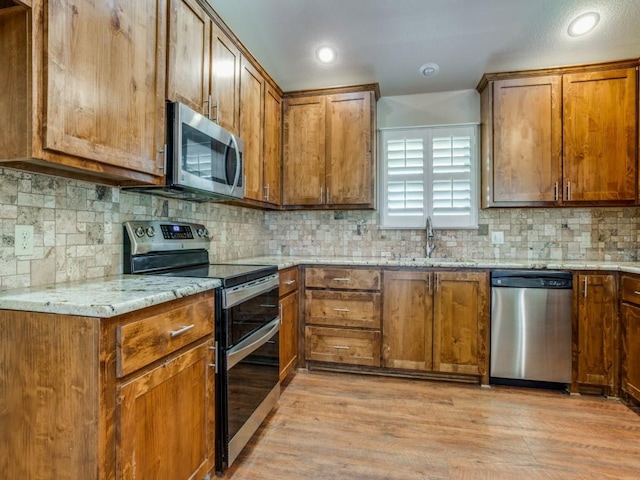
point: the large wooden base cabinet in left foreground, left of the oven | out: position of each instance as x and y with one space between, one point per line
67 411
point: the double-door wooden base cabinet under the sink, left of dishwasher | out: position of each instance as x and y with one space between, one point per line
436 321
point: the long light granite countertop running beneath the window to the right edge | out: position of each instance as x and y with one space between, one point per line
290 261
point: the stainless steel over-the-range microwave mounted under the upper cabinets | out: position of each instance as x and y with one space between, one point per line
204 162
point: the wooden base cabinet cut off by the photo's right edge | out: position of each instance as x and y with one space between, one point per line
630 297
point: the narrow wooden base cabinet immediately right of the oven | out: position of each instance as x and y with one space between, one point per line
289 304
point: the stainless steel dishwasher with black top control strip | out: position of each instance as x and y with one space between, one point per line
531 326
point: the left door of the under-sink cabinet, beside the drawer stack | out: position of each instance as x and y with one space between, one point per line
407 331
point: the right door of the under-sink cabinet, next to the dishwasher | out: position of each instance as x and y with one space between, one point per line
461 326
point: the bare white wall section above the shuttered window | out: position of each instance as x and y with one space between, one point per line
443 108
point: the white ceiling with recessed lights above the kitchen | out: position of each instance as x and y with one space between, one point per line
386 41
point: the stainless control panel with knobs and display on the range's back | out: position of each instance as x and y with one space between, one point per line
160 236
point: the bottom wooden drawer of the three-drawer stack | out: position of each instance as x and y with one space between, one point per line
337 345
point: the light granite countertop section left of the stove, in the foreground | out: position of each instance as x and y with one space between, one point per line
106 297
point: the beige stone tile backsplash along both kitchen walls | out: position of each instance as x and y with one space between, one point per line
78 232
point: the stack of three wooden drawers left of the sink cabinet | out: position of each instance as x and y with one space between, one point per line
342 316
